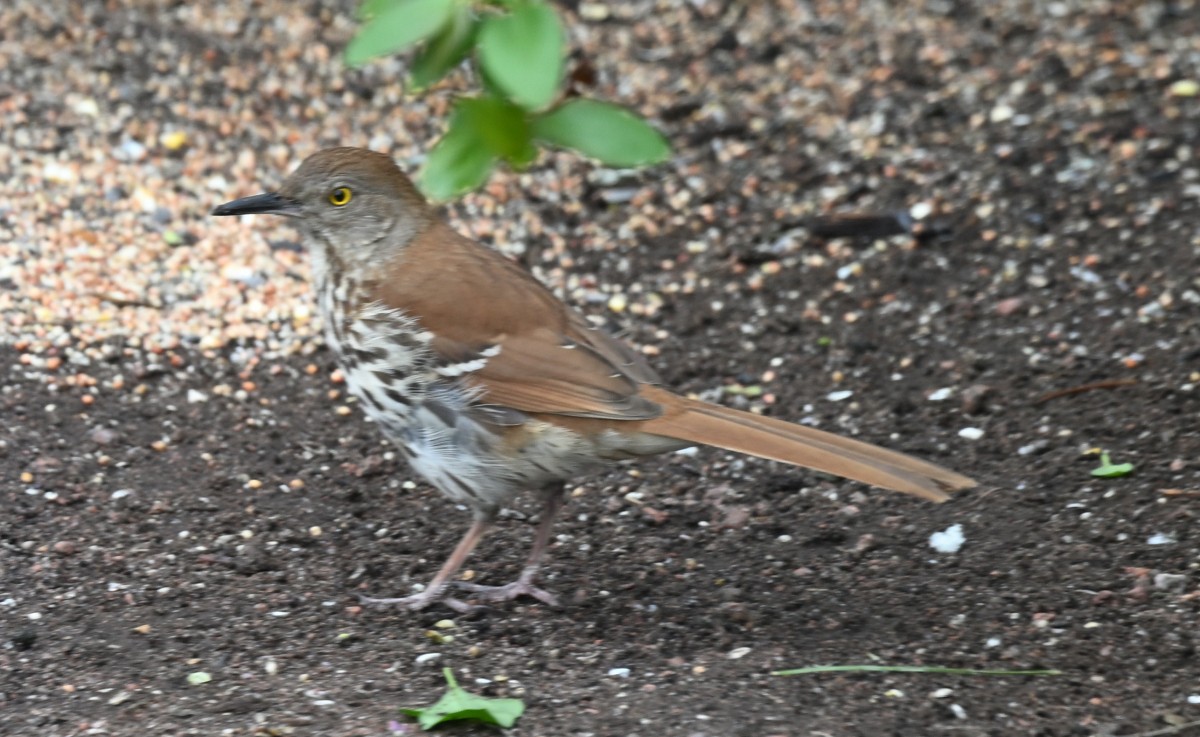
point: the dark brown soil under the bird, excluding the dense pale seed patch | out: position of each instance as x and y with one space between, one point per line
185 523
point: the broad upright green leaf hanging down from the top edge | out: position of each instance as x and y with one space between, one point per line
523 53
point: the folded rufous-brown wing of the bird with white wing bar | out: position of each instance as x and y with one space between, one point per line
500 331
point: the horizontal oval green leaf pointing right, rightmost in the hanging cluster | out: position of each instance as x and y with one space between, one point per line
603 131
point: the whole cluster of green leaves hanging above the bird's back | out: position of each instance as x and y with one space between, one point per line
519 50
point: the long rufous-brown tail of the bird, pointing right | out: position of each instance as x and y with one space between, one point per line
789 444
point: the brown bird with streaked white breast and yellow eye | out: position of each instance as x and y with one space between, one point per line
490 385
